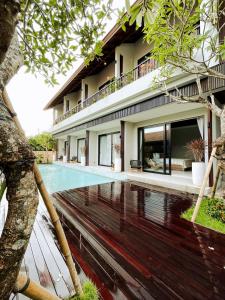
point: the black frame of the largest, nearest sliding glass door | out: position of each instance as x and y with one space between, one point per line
166 171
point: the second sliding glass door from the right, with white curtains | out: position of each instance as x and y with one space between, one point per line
106 148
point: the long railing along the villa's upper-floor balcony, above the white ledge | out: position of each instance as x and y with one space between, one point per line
142 69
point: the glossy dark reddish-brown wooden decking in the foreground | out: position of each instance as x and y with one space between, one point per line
132 242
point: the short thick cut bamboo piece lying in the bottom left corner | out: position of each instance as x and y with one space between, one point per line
31 289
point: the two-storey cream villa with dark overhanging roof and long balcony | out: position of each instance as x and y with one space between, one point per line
112 104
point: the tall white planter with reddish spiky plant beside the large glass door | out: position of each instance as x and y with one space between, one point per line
197 148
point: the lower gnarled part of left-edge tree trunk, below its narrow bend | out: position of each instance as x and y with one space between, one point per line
17 164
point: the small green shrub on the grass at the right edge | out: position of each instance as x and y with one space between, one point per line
216 209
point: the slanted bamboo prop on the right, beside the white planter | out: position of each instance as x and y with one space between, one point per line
202 190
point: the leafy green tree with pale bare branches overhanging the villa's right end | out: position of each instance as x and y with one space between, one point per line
179 44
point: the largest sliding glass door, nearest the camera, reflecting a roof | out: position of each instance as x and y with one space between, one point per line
154 148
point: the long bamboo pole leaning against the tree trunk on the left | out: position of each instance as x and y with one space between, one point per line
51 209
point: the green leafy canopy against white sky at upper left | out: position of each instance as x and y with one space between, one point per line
52 33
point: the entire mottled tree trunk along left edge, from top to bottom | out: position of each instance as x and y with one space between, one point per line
16 162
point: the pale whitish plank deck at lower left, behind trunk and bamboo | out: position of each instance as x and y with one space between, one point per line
43 261
